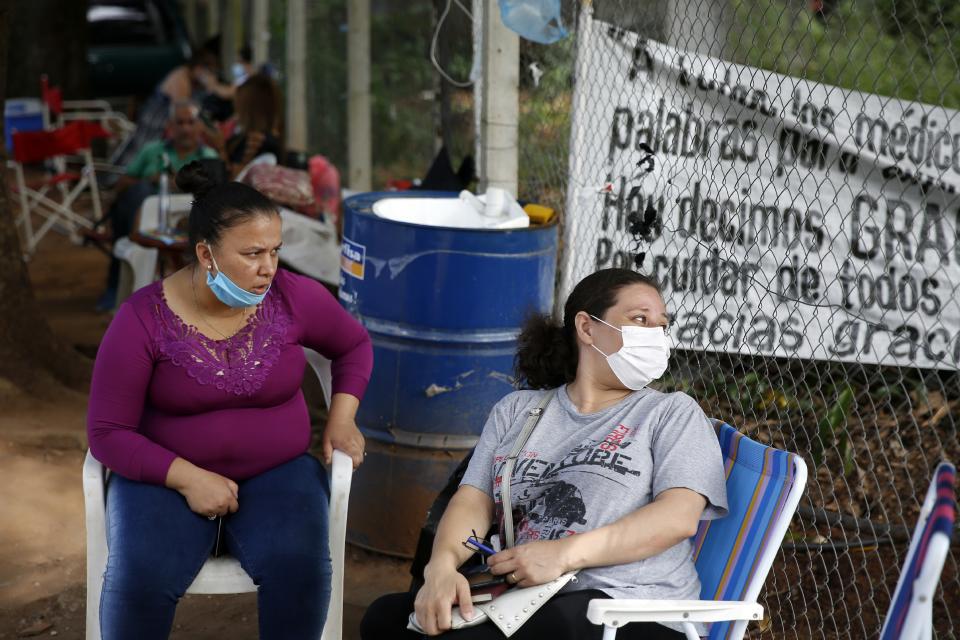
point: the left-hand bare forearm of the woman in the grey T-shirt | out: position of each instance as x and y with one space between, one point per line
469 510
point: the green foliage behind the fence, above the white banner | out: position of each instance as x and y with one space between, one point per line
906 50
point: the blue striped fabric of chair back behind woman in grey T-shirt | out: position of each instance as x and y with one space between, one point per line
726 551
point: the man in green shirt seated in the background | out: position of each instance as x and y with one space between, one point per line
141 177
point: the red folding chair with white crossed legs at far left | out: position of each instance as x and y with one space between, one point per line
37 197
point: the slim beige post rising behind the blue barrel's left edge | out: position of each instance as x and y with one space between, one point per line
359 148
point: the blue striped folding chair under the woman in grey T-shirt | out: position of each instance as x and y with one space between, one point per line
733 555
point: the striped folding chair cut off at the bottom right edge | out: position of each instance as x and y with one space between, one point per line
911 611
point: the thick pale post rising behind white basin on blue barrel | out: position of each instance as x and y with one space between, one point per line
500 51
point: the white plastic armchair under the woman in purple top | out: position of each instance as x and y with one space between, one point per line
224 574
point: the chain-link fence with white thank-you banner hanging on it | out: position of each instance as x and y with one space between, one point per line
789 172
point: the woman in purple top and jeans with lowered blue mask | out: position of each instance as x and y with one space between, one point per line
196 407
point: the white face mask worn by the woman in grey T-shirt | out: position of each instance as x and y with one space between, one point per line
642 358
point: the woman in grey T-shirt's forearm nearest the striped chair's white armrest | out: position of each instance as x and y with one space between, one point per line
650 530
